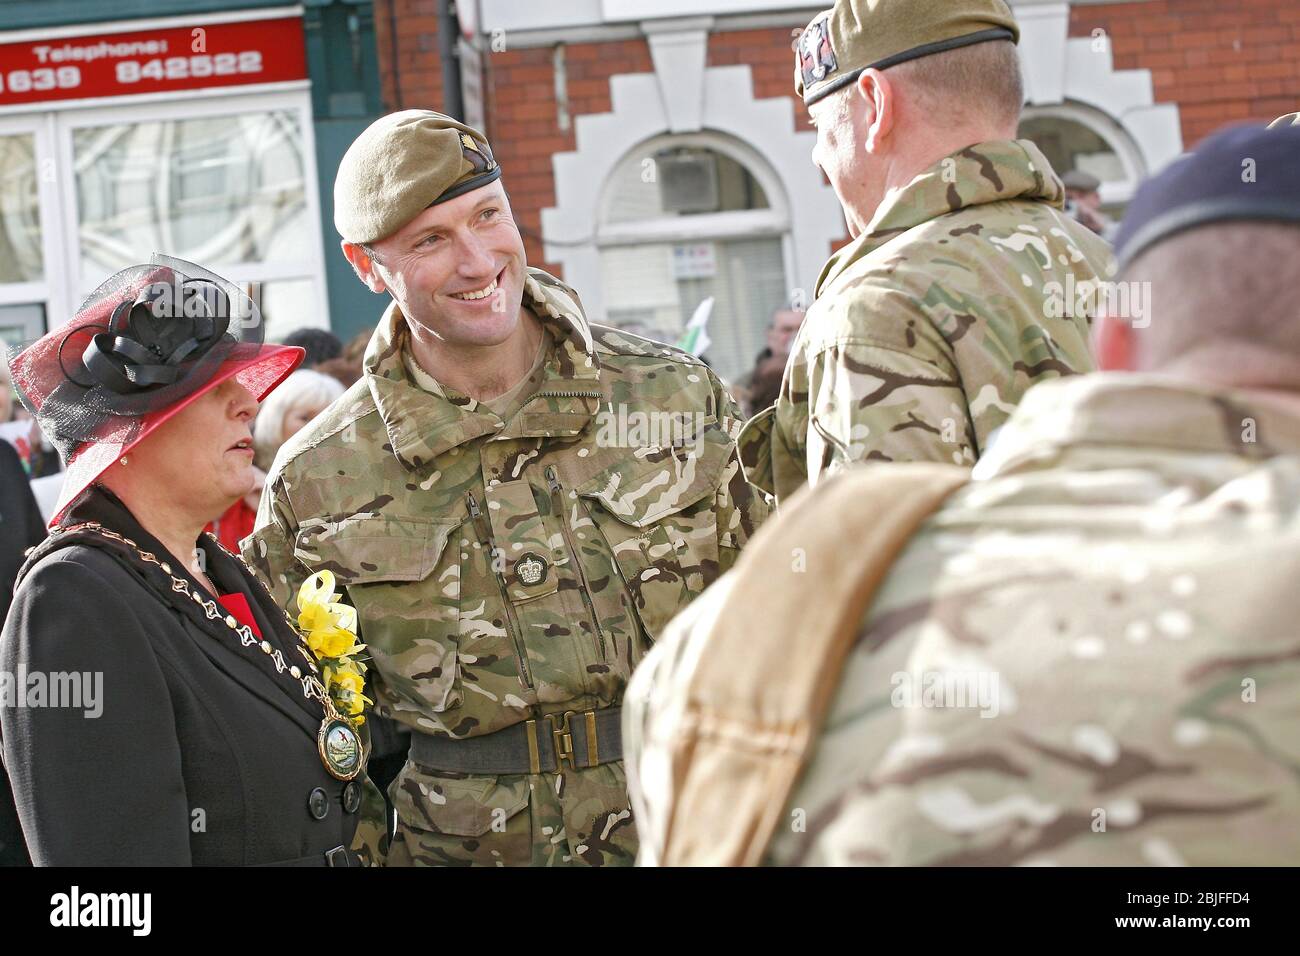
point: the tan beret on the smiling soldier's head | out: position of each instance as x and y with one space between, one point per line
402 165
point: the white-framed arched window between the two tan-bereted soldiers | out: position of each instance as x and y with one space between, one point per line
690 218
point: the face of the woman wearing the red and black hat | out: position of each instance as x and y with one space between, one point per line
205 455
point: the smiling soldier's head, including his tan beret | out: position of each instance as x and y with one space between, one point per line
424 217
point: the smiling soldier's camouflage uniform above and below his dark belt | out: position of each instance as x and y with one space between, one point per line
404 494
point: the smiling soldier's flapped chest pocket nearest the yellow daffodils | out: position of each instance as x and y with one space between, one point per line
405 582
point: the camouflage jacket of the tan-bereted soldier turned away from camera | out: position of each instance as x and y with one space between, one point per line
929 328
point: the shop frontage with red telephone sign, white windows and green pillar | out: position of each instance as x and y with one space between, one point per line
203 129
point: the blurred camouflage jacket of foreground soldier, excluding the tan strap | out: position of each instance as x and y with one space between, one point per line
1123 576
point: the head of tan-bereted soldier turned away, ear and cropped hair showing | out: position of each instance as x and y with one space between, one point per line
894 86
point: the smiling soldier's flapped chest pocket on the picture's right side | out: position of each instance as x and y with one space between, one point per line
656 513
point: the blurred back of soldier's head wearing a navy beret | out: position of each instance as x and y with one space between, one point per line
1216 243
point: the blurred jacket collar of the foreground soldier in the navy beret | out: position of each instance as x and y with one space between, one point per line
1098 412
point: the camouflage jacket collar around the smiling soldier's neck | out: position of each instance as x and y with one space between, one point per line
424 425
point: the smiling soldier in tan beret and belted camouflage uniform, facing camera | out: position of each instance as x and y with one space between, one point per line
509 566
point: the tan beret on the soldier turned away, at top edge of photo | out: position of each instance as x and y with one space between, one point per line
856 36
